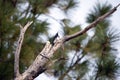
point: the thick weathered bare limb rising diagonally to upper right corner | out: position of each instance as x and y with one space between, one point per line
49 50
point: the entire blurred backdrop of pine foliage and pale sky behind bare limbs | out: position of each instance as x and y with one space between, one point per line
93 56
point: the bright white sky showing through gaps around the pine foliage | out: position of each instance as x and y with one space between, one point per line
79 17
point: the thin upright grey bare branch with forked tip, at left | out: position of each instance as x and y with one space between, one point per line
18 49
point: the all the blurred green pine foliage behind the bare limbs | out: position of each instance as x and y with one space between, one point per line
13 13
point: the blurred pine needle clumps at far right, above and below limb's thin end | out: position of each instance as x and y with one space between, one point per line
101 45
